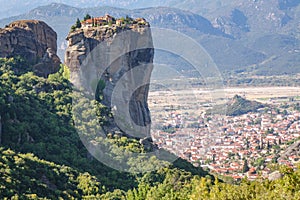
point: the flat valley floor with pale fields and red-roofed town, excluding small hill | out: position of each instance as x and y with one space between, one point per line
236 146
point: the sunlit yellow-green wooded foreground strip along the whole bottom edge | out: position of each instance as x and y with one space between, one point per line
25 176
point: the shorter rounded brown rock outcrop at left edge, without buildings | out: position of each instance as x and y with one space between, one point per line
34 41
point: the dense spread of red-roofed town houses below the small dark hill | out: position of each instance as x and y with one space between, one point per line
223 144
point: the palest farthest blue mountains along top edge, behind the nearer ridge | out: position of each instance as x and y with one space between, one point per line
262 16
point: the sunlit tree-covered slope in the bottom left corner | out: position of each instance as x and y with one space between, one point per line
26 176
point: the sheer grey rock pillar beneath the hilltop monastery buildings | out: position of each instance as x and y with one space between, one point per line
122 58
